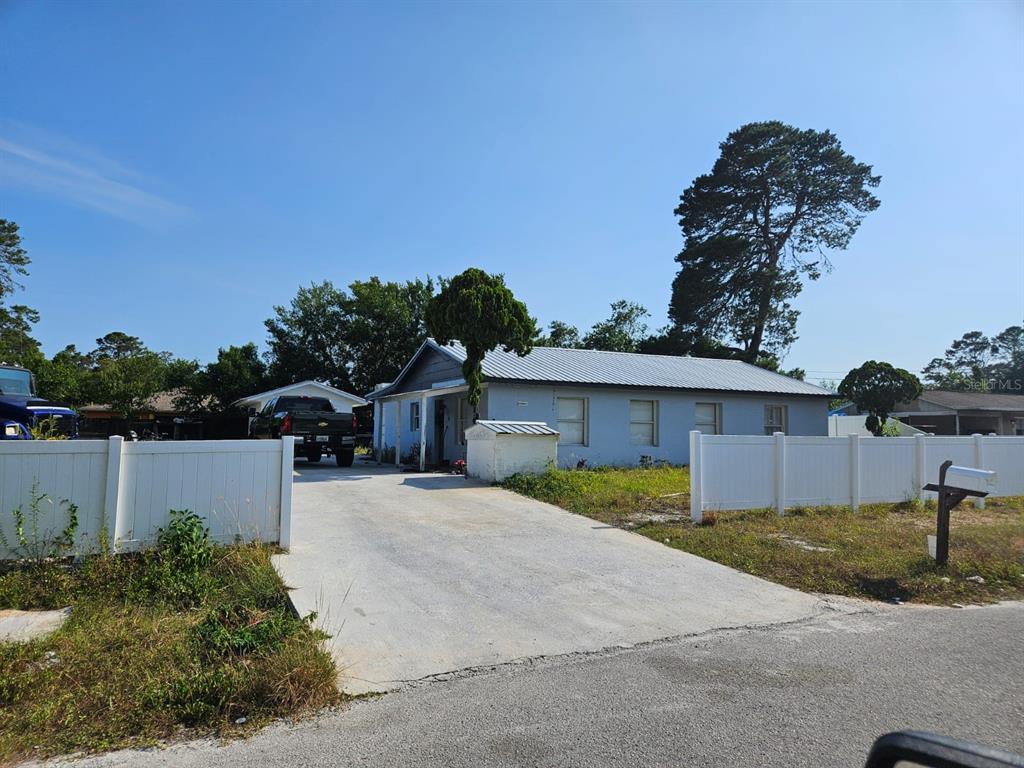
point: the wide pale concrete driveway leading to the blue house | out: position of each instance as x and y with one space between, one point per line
415 576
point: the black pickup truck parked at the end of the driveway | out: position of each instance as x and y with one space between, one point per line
318 429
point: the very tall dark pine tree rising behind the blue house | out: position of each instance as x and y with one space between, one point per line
775 201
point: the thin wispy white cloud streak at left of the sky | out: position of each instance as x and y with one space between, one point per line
59 168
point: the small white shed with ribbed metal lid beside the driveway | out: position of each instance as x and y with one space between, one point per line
496 450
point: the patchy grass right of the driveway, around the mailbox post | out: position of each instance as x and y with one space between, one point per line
879 552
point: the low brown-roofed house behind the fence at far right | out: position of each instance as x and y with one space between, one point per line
940 412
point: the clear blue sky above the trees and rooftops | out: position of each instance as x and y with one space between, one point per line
180 168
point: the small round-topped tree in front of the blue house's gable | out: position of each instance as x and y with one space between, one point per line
481 312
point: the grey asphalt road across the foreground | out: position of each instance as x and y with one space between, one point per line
815 693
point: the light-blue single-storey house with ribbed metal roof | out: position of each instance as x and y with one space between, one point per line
609 408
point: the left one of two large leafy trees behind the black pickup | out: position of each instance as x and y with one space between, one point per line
309 339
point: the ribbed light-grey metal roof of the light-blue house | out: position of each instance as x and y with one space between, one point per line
559 366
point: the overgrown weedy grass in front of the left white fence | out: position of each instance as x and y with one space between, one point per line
188 639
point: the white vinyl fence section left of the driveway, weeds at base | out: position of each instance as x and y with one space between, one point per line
241 489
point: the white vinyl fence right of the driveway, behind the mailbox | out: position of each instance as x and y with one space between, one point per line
779 472
